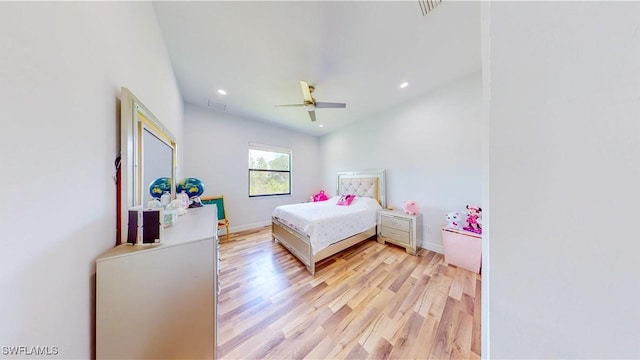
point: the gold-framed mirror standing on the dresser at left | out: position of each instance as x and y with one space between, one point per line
148 152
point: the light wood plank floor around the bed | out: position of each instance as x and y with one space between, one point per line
370 301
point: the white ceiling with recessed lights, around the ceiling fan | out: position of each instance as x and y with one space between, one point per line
356 52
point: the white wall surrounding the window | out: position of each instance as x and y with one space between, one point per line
216 151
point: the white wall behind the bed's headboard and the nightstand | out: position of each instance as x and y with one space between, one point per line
429 147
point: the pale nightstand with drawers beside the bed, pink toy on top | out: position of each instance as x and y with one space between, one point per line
401 229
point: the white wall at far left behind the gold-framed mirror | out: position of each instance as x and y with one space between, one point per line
62 67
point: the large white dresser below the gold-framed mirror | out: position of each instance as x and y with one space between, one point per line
159 301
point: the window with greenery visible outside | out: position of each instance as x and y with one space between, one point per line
269 170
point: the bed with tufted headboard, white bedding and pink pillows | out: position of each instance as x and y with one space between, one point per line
316 231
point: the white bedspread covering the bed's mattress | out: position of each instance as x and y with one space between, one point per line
326 223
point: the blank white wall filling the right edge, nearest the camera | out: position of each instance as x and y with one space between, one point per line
564 132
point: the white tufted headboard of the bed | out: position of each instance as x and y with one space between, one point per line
364 184
